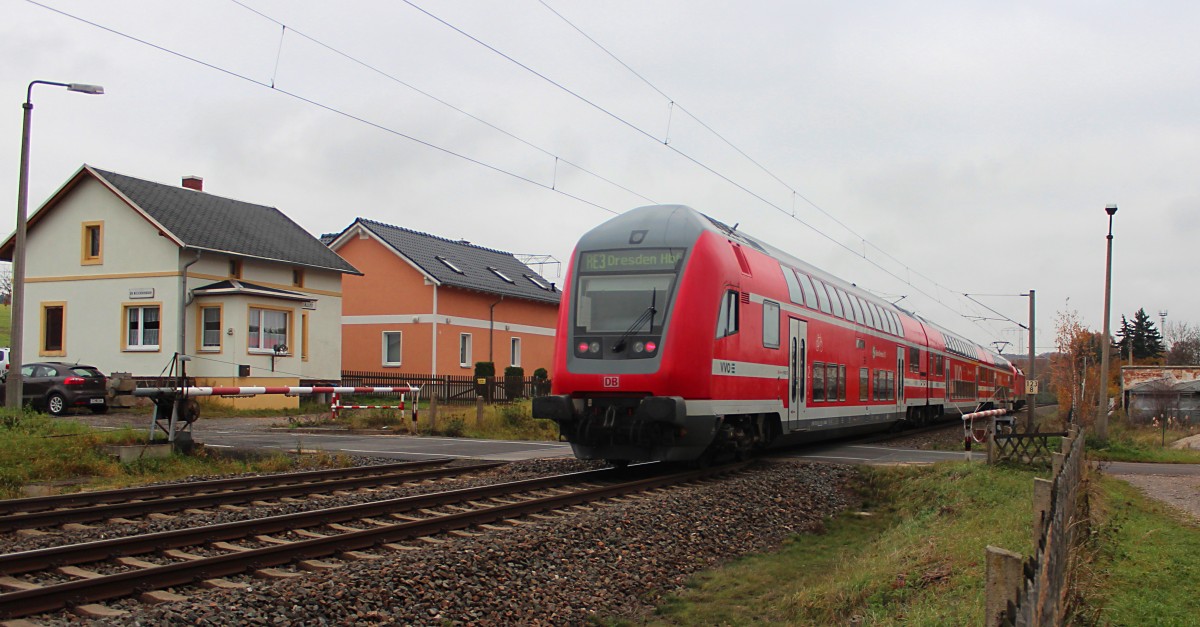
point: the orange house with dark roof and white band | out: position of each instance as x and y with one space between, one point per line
433 306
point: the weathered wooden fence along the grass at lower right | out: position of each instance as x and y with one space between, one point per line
1035 592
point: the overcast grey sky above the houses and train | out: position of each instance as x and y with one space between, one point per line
968 146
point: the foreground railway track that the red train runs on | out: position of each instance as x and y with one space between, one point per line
52 580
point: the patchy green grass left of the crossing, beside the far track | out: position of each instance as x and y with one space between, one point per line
39 450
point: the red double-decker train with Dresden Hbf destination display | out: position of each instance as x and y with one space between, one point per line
681 338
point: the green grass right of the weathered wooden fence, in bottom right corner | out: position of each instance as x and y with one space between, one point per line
1143 563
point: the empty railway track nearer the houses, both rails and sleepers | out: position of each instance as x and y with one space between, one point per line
119 505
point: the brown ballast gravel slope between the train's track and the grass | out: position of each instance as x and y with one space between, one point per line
613 562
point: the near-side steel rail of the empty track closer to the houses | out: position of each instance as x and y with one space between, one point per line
135 509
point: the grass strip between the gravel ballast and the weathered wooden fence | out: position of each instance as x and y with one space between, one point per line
914 556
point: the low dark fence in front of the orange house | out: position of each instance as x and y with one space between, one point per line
454 389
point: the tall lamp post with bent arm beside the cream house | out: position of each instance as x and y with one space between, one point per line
14 390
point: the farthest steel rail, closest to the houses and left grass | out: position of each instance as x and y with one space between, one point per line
37 504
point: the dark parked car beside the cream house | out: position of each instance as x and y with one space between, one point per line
57 387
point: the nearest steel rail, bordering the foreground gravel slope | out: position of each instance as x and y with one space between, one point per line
28 602
